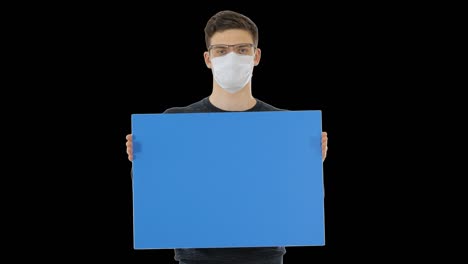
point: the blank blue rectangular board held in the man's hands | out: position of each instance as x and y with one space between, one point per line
229 179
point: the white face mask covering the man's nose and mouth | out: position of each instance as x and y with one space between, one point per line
232 71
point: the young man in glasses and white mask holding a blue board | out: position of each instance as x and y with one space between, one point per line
232 52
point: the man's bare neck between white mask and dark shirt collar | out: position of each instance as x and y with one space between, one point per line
240 101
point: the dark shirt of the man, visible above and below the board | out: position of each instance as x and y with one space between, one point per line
225 254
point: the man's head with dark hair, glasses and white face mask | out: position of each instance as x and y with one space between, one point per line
231 41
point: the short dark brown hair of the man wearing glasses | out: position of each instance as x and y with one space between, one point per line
228 19
